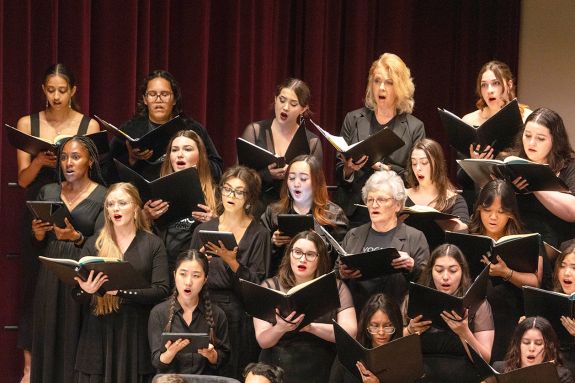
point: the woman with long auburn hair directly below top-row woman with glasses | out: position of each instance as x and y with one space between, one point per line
185 150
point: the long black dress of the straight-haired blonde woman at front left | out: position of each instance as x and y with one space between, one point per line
114 347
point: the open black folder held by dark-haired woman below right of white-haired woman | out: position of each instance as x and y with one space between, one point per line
430 302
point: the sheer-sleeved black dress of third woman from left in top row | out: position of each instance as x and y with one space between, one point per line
260 133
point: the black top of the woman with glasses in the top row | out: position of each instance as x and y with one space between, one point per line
140 125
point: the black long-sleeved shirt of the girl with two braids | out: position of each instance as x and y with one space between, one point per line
187 362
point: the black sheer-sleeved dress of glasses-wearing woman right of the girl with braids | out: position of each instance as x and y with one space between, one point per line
305 357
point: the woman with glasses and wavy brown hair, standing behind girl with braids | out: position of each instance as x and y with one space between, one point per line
238 193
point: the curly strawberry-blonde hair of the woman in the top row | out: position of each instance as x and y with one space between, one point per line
402 82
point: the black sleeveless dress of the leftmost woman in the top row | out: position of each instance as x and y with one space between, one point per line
29 253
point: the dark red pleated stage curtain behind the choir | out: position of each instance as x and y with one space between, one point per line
228 56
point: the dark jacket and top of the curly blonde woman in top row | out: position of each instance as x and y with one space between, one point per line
357 126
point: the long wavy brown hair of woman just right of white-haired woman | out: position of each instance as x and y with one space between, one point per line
436 158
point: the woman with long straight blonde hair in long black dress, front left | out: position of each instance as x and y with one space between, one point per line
113 344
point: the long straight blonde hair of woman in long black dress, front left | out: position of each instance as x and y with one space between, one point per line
108 248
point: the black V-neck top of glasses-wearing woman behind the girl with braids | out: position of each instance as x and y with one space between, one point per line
253 257
